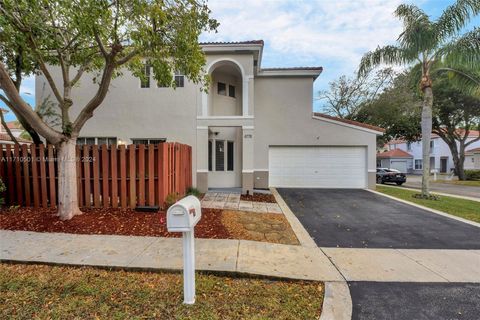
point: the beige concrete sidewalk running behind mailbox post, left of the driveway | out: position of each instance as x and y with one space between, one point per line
258 258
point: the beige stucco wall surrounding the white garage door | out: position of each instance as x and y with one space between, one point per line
283 116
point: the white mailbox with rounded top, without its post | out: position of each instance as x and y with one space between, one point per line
184 214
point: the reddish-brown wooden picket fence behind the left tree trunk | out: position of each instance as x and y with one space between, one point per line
107 176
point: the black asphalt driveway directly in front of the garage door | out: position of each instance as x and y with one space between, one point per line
361 219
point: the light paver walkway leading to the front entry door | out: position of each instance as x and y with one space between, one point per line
232 201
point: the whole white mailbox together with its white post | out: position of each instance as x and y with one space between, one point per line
182 217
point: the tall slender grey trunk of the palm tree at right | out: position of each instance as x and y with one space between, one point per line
426 136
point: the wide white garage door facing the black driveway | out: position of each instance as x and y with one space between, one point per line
318 167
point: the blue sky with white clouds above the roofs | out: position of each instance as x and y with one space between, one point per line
333 34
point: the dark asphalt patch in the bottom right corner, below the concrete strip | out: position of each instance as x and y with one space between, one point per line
405 301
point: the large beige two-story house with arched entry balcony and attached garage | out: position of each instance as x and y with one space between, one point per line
253 129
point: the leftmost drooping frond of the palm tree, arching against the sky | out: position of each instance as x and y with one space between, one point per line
390 55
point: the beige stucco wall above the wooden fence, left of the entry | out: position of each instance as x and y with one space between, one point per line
129 111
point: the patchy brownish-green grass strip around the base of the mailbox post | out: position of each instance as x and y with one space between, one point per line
46 292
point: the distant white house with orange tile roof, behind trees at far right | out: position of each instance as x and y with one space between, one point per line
409 160
